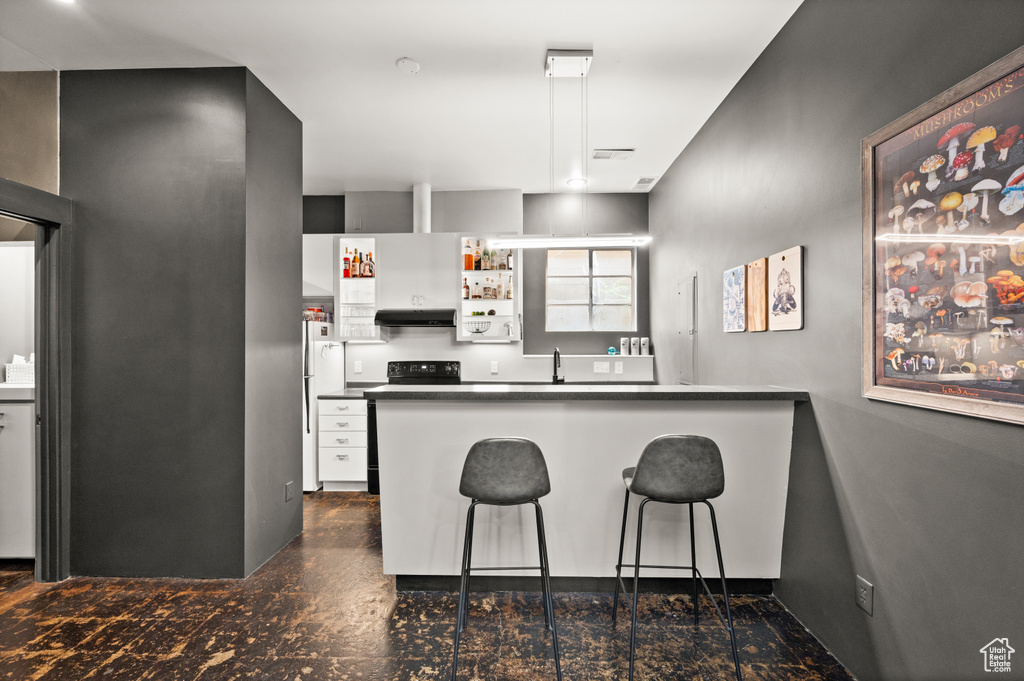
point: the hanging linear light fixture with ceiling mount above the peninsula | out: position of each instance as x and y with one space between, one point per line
571 64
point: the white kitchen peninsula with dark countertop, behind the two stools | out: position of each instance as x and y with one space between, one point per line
588 434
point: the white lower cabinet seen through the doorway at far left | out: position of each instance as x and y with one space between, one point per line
18 481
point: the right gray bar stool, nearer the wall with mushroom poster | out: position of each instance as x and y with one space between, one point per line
675 470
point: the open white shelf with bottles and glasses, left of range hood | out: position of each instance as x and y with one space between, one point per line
357 297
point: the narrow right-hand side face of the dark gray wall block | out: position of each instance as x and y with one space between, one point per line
274 336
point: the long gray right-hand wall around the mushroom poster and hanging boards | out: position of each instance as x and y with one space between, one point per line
925 505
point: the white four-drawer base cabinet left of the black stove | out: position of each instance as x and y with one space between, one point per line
343 444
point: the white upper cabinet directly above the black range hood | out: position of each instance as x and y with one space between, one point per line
416 271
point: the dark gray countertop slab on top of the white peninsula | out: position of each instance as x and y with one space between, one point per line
574 392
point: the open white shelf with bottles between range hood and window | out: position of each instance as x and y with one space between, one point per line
490 307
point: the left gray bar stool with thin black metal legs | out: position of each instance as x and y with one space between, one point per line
505 472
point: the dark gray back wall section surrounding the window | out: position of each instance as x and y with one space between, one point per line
565 215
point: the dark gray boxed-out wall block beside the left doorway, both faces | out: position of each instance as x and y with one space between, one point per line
186 257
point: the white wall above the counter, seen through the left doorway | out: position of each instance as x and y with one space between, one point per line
17 300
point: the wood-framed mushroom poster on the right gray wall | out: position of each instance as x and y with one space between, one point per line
944 306
